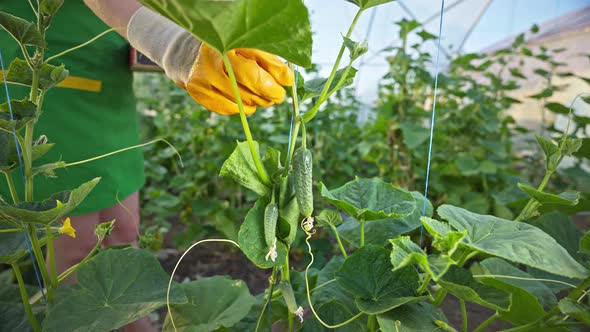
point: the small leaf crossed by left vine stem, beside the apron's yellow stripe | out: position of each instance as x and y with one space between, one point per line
20 73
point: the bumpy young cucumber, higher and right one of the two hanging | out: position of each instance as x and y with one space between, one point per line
302 170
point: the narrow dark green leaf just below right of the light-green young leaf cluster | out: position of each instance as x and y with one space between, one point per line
460 283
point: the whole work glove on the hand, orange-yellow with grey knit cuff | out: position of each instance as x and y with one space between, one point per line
200 70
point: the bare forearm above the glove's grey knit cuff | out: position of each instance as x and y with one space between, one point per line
115 13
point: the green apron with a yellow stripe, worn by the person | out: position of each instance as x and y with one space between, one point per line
91 114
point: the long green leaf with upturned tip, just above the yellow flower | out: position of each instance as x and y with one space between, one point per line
49 210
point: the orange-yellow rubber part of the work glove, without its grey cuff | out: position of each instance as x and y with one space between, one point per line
260 76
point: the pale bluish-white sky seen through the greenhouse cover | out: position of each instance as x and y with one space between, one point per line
502 19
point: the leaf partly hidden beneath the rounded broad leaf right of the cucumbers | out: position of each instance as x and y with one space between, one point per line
378 232
